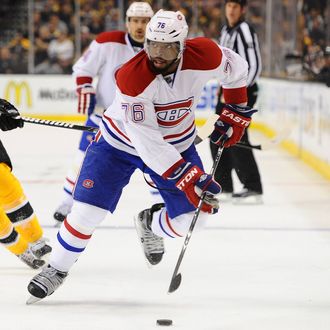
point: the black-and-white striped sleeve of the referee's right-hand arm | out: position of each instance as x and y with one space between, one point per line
248 47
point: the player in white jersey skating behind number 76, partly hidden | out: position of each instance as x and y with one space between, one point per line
103 57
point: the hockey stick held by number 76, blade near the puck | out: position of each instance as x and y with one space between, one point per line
177 277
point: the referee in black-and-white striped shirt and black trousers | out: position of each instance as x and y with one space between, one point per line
239 36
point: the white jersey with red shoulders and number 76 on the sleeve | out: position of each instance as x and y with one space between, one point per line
154 120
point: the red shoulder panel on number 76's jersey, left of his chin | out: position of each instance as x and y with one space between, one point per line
135 75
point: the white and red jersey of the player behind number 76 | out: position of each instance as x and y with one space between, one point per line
105 55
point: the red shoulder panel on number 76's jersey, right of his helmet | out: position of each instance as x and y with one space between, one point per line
201 54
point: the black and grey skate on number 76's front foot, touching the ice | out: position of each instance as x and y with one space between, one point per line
45 283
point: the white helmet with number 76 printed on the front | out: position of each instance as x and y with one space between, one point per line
168 27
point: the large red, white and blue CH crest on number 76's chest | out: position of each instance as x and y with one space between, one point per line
172 114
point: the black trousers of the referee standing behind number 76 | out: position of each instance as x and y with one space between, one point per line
240 159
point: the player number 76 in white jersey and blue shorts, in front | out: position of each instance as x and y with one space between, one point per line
151 126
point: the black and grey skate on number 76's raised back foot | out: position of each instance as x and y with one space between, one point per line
153 245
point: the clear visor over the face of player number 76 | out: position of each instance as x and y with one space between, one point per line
166 50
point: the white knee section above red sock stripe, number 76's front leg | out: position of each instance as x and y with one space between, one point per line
85 217
